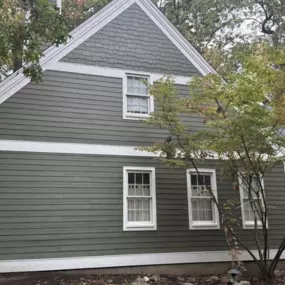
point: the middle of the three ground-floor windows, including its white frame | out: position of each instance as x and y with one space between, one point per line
203 213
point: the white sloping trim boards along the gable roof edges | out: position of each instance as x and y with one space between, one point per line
89 27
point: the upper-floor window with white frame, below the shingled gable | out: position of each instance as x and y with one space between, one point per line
137 102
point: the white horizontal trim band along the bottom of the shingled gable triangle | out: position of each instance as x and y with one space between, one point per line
109 72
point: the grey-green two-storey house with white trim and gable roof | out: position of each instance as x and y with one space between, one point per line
75 192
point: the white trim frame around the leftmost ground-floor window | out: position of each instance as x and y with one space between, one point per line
139 226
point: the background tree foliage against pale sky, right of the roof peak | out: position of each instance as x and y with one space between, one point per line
225 23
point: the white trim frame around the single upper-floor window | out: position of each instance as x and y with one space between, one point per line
126 115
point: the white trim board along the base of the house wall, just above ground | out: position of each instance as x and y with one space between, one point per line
106 261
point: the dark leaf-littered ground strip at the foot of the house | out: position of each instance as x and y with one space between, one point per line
54 278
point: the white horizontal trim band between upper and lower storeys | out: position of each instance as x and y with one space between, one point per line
73 148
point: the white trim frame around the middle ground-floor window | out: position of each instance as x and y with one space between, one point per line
202 225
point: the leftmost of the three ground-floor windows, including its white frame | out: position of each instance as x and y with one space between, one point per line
139 198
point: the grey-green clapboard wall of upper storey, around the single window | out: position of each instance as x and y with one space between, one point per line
70 107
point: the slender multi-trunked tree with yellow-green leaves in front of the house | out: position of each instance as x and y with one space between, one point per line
244 121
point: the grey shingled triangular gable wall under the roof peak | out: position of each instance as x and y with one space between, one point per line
132 41
